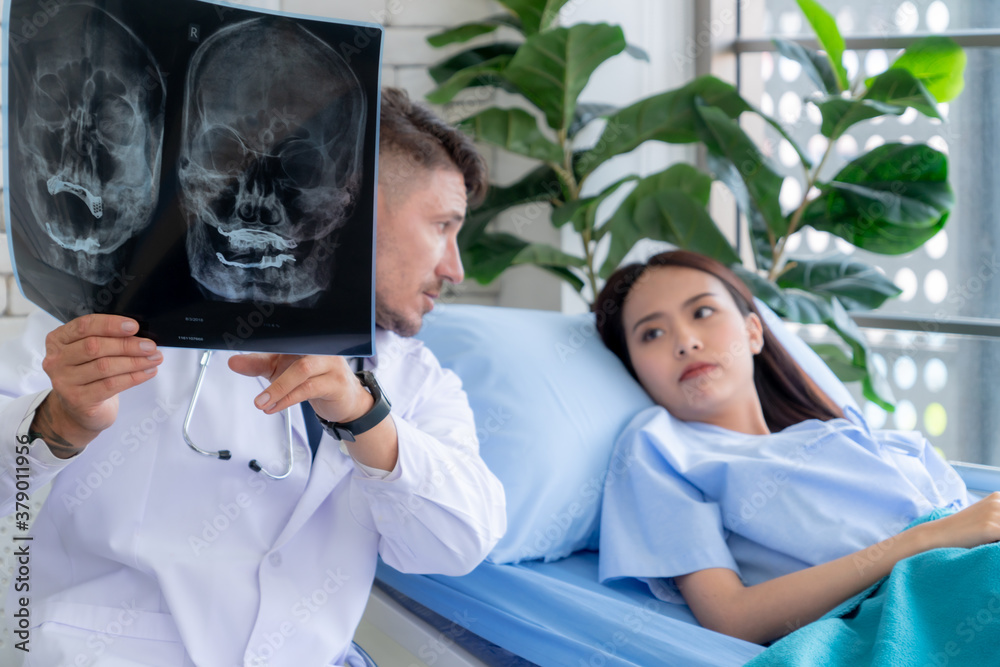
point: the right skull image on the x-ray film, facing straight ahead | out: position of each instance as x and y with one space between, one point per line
271 160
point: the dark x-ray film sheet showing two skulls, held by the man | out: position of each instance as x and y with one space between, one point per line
206 169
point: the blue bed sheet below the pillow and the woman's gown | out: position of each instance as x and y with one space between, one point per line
556 614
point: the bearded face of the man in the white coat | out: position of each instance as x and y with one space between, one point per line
417 247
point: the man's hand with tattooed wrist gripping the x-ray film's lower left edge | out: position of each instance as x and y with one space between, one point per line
90 360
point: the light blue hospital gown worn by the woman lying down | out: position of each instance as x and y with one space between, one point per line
685 496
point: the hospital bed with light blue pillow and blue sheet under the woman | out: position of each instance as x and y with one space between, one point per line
549 400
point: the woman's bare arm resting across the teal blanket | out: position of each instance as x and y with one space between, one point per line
769 610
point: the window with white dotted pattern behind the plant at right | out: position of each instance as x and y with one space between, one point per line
944 383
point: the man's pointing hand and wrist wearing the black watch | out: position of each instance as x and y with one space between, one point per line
336 395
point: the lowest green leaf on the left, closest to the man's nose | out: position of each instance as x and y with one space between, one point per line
492 254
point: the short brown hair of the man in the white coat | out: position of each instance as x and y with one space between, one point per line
411 136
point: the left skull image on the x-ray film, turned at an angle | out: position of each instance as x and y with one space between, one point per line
90 132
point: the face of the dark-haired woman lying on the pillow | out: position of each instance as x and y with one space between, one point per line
691 347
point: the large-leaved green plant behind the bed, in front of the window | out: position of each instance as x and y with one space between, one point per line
889 200
